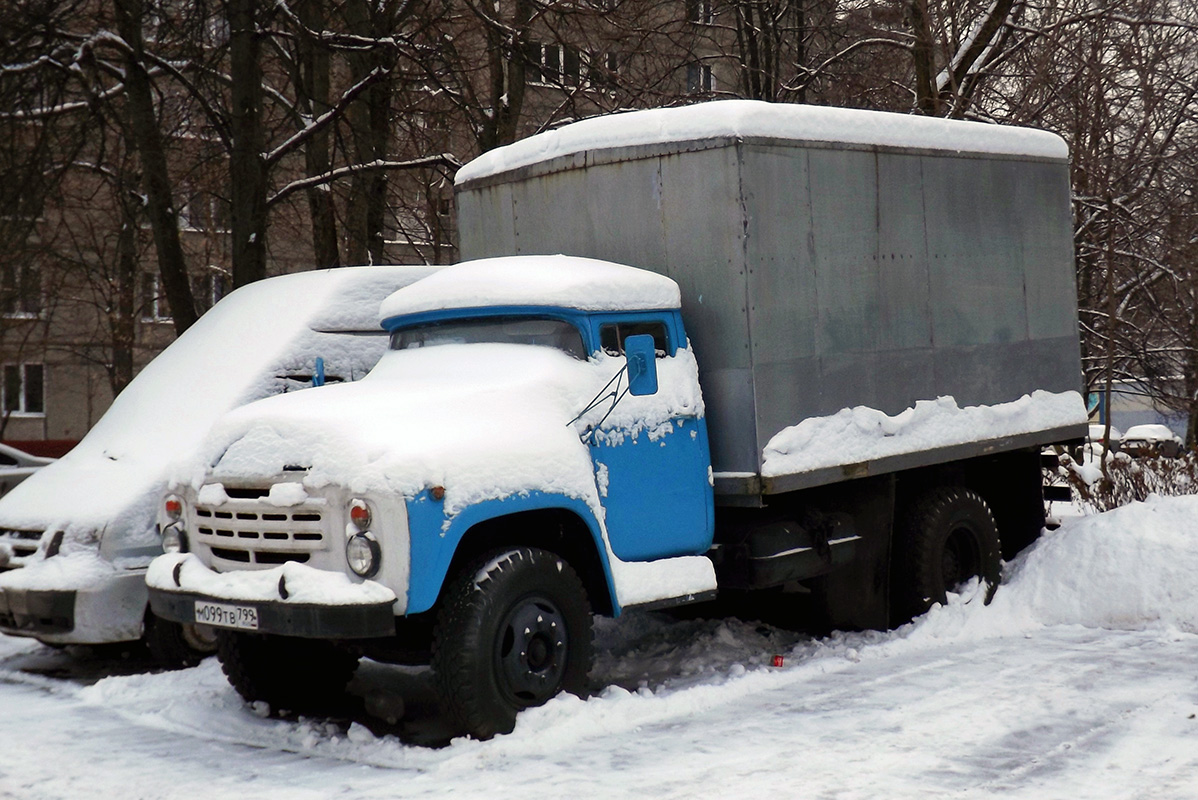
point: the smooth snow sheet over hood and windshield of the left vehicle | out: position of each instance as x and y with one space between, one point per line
233 355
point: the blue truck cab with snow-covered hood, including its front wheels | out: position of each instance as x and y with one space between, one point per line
531 449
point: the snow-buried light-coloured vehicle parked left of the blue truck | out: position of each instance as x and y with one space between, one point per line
83 530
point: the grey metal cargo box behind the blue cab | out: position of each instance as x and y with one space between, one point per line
818 275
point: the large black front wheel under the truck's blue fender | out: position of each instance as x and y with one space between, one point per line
515 631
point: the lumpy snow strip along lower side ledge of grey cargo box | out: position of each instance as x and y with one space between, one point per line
863 434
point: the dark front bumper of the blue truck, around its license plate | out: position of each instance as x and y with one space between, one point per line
306 621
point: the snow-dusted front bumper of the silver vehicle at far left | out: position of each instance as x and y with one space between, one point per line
112 610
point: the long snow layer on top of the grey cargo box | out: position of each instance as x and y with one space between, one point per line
757 119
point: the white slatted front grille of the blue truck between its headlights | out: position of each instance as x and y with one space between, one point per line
247 531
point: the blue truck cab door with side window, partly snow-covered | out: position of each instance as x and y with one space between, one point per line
655 484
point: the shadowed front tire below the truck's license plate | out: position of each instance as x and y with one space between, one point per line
294 675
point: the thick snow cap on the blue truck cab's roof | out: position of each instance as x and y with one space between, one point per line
544 281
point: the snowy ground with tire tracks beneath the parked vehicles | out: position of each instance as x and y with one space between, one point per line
1080 681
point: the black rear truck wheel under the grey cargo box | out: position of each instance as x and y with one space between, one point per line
946 538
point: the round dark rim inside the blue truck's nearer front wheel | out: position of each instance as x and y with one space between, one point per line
531 652
